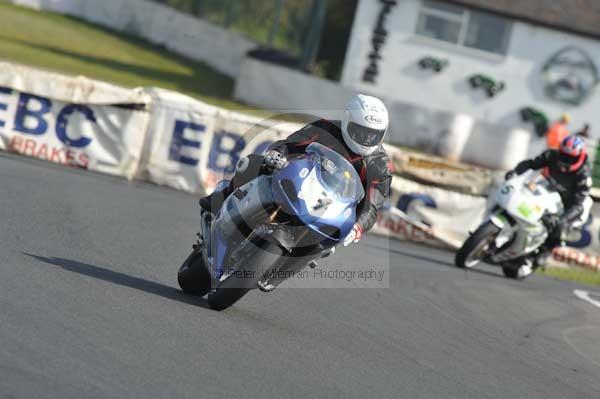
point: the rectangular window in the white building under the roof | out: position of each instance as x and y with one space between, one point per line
458 25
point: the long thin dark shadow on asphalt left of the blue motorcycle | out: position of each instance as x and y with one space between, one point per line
123 279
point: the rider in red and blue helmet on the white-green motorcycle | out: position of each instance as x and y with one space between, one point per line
570 170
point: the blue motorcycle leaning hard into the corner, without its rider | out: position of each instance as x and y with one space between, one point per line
273 227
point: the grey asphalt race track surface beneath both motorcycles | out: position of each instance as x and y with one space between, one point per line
89 308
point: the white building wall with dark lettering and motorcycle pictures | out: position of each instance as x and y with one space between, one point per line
401 79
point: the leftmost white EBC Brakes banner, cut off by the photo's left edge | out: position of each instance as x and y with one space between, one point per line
95 130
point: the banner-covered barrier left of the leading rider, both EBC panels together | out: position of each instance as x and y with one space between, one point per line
181 143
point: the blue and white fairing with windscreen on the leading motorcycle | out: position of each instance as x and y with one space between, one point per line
319 190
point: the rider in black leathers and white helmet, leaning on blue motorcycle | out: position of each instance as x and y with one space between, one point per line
358 138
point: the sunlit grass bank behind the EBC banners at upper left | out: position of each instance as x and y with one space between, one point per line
74 47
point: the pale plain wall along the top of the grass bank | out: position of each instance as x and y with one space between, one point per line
184 34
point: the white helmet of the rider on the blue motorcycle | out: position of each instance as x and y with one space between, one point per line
364 124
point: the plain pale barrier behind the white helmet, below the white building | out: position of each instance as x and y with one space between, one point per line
457 136
